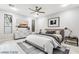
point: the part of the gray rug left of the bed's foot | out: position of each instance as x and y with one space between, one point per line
28 49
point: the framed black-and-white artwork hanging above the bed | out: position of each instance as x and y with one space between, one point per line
54 22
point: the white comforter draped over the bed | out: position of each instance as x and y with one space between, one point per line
46 42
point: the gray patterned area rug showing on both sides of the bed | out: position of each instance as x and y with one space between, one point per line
29 49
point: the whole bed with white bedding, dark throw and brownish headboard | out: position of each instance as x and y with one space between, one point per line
48 41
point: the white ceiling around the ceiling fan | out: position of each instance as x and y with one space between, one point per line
47 8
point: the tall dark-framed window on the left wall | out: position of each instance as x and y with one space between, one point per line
7 23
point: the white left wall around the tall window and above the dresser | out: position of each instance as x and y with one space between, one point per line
16 18
